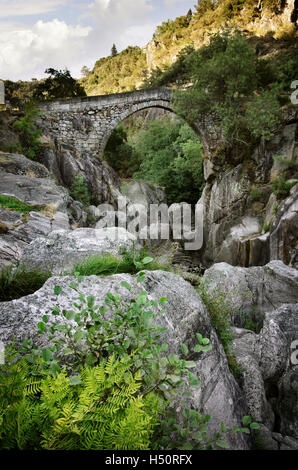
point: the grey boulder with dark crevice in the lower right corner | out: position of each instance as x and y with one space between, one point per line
269 378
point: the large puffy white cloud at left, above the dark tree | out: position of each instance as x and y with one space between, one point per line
26 53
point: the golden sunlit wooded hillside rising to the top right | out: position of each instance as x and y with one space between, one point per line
270 24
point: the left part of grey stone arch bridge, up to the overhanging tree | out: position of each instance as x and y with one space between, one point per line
85 124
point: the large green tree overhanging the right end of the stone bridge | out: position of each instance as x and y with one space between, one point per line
225 77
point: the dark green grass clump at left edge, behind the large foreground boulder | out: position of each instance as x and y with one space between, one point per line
18 282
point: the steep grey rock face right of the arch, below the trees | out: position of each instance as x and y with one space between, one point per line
244 223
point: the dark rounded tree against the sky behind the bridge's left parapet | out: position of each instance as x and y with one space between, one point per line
60 84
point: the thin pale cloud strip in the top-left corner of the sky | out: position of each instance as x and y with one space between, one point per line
28 7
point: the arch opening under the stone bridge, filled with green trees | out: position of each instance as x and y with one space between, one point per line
153 144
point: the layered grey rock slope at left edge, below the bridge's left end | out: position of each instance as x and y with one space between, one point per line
49 206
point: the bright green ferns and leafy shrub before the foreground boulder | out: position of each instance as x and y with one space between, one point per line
123 385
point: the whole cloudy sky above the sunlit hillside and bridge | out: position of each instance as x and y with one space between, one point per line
38 34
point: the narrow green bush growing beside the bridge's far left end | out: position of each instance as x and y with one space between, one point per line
28 133
